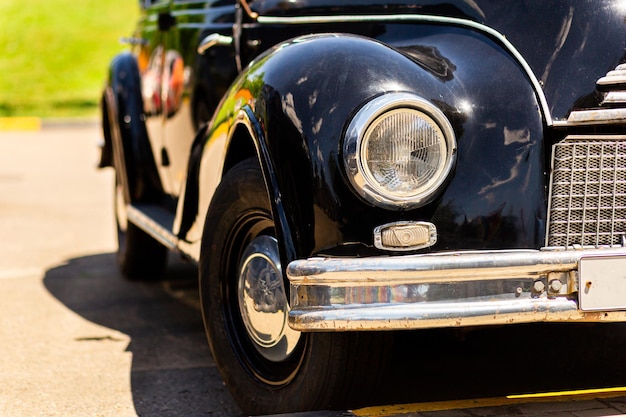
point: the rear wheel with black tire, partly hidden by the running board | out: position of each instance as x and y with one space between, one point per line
139 256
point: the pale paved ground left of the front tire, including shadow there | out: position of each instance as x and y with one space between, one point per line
75 338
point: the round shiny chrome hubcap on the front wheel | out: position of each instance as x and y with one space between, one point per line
263 300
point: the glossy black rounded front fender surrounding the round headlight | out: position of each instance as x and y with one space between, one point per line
297 100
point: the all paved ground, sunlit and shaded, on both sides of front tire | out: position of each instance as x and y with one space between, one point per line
78 340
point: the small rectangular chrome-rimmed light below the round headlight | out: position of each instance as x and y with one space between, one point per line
403 236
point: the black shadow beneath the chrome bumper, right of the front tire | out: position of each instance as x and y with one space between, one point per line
498 361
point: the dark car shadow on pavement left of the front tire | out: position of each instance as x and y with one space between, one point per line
172 370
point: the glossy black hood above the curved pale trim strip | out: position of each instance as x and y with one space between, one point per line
569 44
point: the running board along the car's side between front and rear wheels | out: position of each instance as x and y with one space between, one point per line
155 221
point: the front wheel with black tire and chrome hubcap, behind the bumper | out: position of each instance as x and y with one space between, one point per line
270 369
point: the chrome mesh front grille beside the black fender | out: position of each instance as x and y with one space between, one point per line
588 192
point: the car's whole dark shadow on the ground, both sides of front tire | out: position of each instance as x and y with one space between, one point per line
173 372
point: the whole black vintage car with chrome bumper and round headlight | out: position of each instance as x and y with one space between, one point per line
340 169
